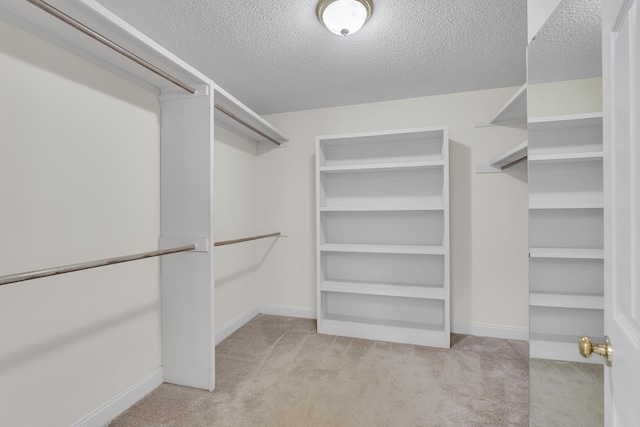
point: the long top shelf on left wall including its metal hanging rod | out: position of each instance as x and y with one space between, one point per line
154 69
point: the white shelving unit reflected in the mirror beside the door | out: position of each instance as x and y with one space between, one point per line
566 234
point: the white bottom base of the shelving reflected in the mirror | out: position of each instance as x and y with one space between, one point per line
558 347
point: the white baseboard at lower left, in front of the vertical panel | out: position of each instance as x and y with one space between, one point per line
115 406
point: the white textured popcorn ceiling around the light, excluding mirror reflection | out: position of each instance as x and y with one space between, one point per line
275 56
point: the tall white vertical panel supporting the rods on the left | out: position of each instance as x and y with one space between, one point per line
186 210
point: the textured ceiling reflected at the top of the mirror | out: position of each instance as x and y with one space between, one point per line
568 46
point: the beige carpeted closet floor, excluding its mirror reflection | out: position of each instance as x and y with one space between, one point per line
277 371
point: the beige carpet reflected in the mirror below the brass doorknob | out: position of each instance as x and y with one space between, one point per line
566 394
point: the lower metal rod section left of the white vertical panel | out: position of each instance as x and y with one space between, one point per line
29 275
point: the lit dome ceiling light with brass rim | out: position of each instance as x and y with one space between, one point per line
344 17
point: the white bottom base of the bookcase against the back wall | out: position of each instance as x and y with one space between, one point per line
385 330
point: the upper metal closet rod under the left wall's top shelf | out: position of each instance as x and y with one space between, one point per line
107 42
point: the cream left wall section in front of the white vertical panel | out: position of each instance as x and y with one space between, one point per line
79 180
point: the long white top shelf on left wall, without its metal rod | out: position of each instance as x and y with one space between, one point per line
101 20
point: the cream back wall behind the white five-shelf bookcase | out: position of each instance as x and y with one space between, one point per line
489 279
